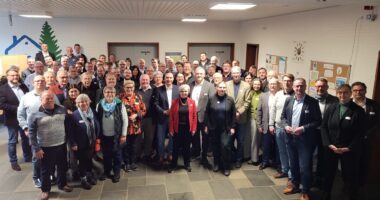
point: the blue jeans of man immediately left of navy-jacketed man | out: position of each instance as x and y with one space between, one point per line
282 149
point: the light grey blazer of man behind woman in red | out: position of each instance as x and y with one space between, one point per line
207 91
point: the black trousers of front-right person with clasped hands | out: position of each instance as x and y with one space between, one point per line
350 172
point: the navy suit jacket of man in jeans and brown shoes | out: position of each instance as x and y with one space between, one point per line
310 117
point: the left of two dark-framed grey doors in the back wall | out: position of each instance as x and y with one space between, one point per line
134 51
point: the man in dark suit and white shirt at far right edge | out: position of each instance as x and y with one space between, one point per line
372 111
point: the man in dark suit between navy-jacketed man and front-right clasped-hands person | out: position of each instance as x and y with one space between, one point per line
325 101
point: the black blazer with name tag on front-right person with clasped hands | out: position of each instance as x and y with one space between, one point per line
346 131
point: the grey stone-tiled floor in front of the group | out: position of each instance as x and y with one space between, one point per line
247 183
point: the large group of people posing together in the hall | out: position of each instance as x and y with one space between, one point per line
73 112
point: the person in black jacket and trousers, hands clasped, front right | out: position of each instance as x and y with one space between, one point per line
342 130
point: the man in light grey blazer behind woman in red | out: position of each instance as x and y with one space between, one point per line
201 92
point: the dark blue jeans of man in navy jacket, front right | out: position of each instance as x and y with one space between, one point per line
300 153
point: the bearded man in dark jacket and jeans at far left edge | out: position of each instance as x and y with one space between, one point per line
10 95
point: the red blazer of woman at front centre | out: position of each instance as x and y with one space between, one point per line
174 116
